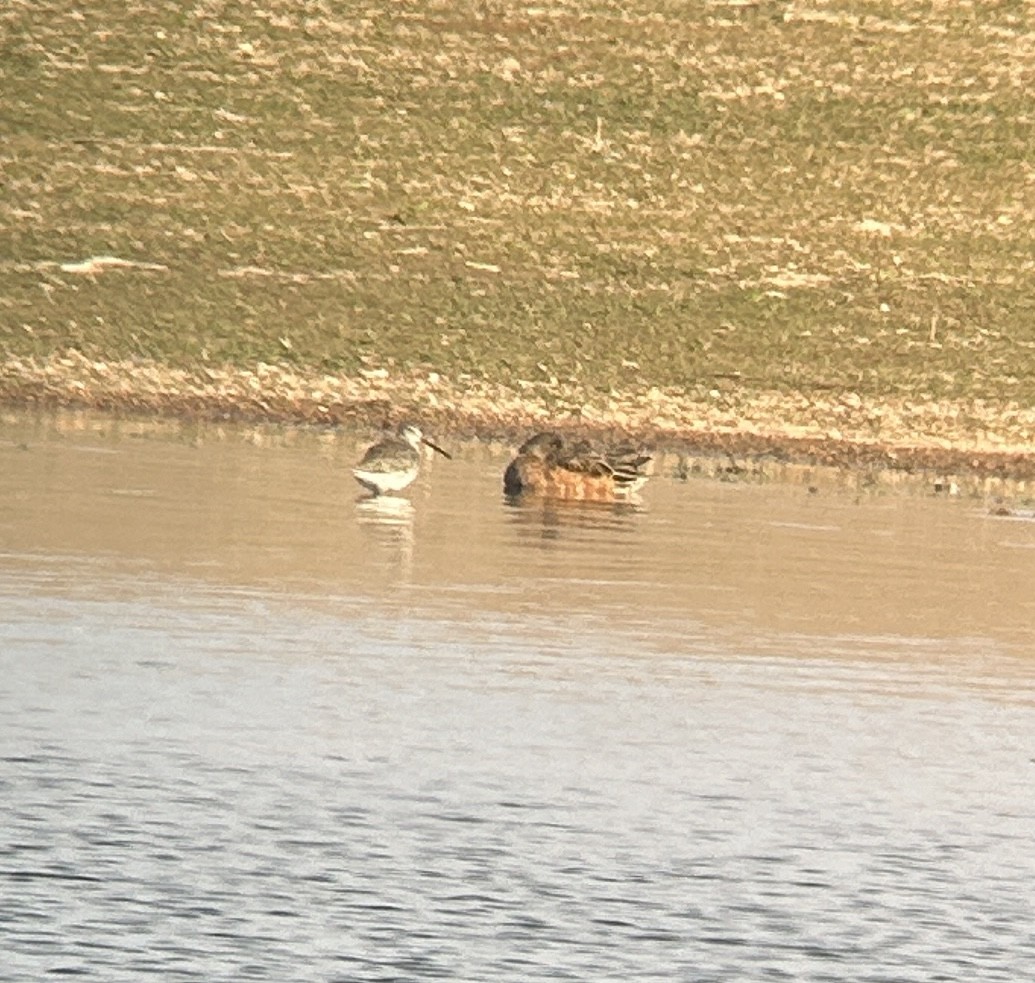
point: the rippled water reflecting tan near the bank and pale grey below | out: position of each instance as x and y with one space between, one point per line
253 729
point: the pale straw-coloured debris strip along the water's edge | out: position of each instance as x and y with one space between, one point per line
838 430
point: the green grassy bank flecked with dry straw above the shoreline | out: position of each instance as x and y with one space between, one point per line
717 200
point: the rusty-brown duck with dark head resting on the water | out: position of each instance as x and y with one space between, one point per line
548 466
